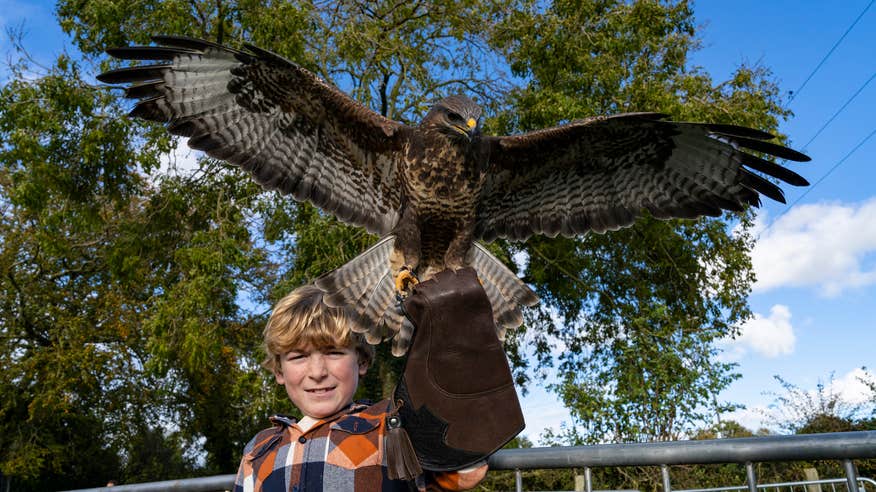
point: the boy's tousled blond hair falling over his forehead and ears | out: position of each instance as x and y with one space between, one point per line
301 319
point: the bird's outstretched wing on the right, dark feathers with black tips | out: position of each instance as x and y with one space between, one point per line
600 174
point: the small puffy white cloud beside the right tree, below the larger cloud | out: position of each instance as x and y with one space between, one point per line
770 336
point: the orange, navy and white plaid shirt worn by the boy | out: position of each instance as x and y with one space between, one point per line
344 452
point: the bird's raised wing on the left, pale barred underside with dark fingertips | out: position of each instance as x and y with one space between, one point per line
292 131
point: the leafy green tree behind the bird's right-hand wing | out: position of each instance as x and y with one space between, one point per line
640 308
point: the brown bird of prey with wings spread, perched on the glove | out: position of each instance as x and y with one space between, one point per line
432 191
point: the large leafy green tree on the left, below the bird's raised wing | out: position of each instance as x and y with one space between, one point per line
119 293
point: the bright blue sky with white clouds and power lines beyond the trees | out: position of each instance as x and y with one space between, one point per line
815 258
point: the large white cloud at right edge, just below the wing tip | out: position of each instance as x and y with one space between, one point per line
828 246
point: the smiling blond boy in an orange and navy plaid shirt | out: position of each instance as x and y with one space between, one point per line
337 445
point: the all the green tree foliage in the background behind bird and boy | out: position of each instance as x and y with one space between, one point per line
133 296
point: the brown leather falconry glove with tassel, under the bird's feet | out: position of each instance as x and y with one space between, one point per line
456 398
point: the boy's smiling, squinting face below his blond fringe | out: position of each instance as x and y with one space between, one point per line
320 382
